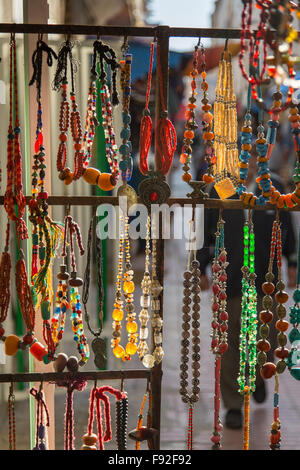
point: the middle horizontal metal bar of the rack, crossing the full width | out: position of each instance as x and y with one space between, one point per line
233 204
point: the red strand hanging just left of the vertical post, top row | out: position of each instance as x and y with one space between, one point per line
146 123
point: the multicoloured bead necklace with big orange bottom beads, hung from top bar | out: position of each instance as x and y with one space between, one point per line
103 56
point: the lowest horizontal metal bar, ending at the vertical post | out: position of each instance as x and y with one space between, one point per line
92 375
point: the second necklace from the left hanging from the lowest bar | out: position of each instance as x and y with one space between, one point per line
41 423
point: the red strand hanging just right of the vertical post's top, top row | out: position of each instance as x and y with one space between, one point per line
165 134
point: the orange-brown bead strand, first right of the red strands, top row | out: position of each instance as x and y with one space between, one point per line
190 125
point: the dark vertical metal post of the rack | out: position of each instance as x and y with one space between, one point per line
156 376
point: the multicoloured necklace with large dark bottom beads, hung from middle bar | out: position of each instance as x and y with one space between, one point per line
57 325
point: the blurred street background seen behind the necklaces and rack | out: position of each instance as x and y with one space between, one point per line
190 13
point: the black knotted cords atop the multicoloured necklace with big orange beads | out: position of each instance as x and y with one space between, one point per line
106 55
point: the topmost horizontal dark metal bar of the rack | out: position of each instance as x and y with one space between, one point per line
142 31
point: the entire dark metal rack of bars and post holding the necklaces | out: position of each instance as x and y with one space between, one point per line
162 35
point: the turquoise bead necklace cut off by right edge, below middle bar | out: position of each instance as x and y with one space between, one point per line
294 334
